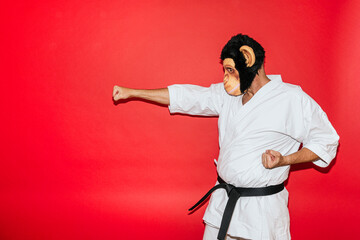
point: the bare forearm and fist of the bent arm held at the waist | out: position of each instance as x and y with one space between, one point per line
272 159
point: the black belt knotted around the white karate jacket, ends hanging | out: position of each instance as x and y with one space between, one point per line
233 197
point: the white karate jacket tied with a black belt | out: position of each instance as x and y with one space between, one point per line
279 117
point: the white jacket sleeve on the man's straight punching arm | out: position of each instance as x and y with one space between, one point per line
196 100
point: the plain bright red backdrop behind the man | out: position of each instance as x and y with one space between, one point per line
75 166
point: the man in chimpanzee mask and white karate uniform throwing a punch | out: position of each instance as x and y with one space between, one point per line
262 122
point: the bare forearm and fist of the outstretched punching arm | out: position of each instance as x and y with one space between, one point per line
160 96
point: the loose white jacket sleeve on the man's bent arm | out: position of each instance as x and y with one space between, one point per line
321 137
